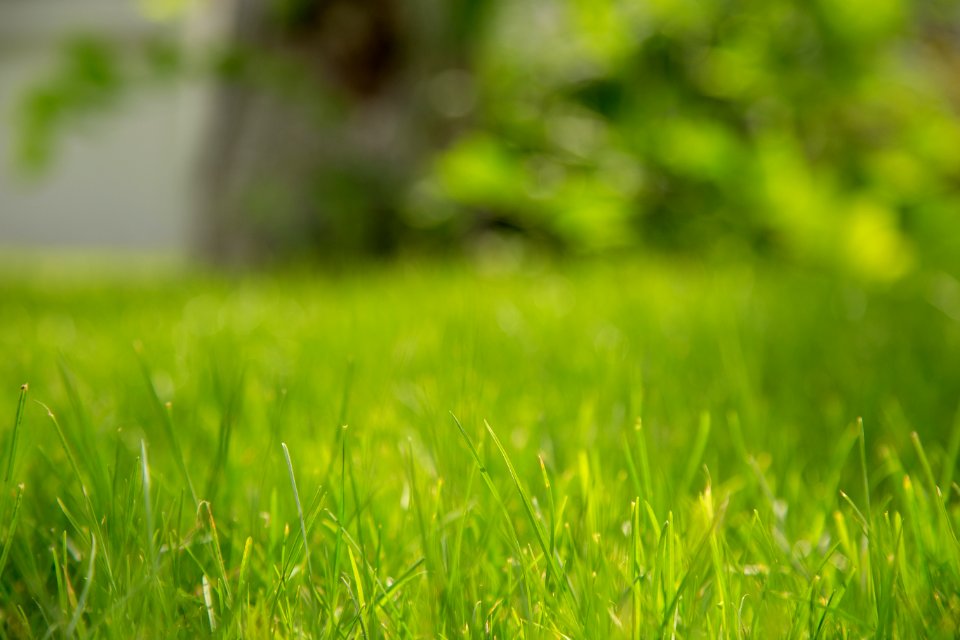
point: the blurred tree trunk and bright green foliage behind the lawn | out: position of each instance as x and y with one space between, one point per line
823 132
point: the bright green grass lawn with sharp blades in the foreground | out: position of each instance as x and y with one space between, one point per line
592 451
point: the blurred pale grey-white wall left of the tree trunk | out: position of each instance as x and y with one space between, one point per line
122 180
